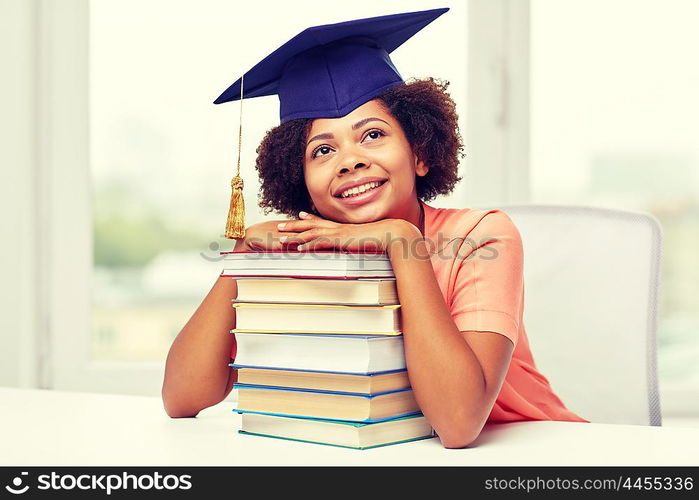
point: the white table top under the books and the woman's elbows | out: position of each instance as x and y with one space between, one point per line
63 428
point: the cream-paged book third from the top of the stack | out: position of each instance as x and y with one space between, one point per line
317 318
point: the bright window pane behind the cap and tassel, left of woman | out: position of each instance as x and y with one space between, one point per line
162 155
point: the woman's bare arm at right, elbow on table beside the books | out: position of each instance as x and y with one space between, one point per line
456 376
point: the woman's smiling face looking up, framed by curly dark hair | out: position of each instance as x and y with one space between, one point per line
366 146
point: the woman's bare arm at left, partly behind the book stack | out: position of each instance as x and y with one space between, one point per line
197 374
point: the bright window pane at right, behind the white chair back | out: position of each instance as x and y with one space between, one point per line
615 115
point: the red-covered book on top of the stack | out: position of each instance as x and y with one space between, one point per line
317 263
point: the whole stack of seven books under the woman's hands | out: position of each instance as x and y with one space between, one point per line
320 349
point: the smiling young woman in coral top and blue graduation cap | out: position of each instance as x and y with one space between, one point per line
358 175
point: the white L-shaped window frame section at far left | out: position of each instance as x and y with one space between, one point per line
65 209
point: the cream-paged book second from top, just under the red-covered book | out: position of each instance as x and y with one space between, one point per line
361 291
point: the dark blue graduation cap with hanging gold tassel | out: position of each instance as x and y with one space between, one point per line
325 72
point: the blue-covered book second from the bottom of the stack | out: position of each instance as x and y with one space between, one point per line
350 406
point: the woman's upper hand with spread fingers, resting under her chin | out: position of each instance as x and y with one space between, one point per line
312 232
